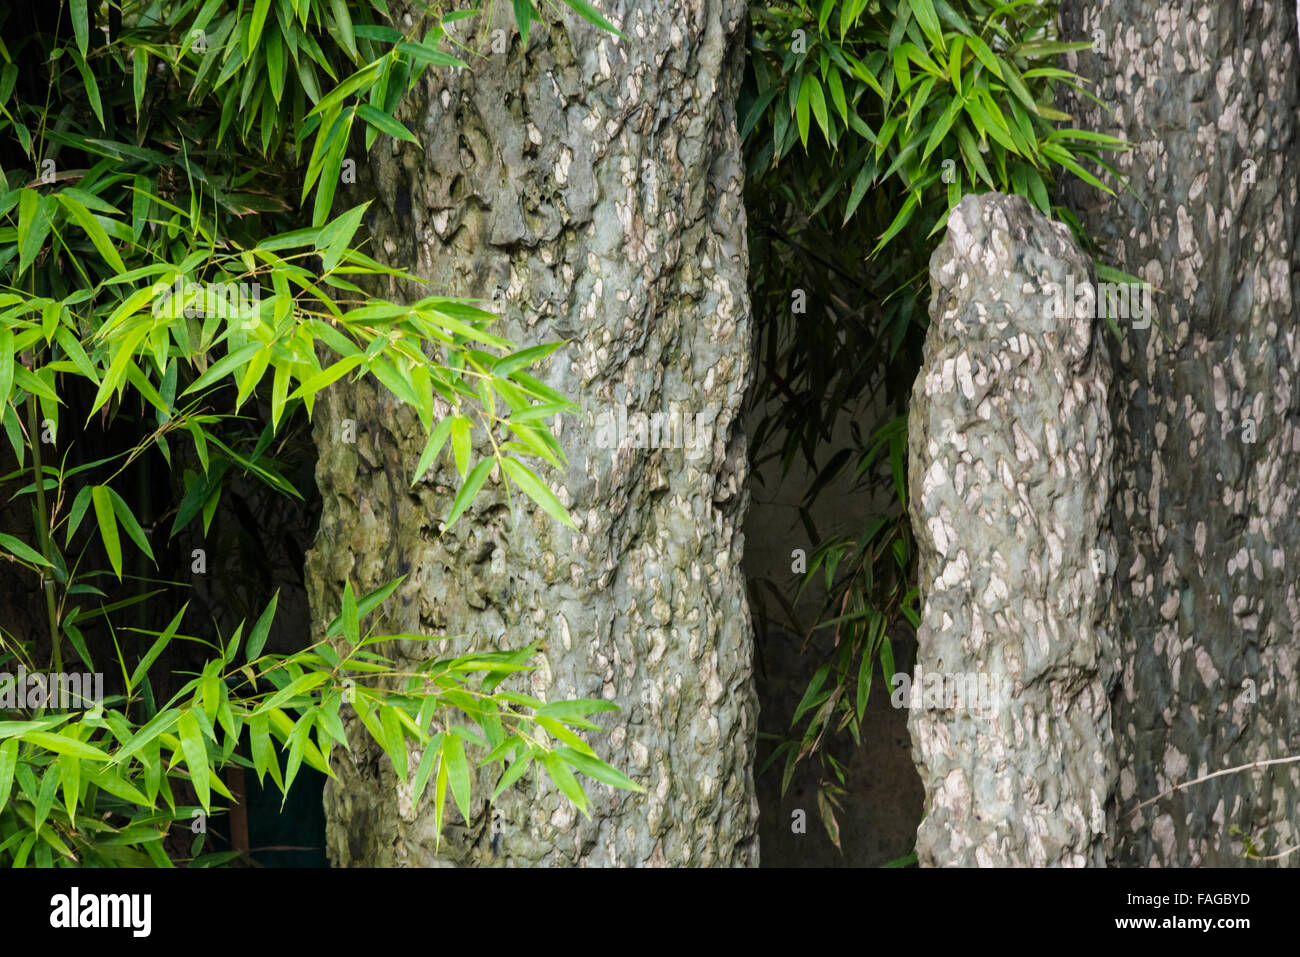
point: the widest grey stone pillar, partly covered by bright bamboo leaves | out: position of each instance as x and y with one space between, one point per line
592 188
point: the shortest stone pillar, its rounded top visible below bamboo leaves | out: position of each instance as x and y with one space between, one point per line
1009 478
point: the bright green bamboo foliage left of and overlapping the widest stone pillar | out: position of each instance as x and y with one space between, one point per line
153 279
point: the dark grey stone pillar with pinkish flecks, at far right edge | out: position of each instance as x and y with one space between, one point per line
1206 522
